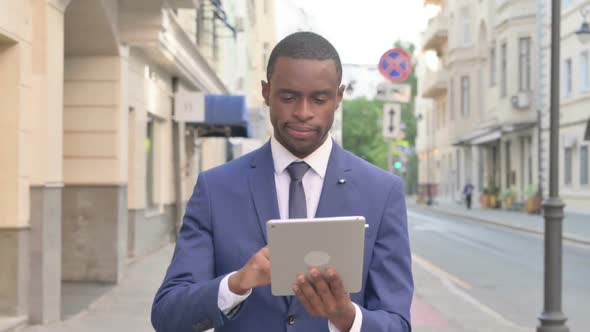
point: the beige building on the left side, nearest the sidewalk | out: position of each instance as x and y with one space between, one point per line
101 112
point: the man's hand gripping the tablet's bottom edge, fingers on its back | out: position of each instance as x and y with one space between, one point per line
325 296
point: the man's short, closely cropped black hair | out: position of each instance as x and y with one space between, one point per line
304 45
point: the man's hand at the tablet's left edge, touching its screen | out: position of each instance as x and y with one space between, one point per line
255 273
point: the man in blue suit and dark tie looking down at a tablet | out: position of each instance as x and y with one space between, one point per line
219 276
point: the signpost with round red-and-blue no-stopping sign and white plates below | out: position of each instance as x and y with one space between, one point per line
396 66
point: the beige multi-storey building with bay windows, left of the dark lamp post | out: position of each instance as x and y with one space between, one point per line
481 125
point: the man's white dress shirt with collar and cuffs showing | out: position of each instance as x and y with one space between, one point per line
313 182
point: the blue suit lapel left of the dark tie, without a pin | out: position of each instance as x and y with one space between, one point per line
262 187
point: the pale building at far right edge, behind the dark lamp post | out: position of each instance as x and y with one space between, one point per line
574 129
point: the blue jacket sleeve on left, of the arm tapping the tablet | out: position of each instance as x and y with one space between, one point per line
187 299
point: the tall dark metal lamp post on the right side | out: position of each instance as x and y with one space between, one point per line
552 318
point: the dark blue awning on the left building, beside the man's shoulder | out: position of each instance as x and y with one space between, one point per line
228 112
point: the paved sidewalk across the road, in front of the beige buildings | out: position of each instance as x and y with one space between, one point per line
576 226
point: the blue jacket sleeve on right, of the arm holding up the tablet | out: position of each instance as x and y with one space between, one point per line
390 286
